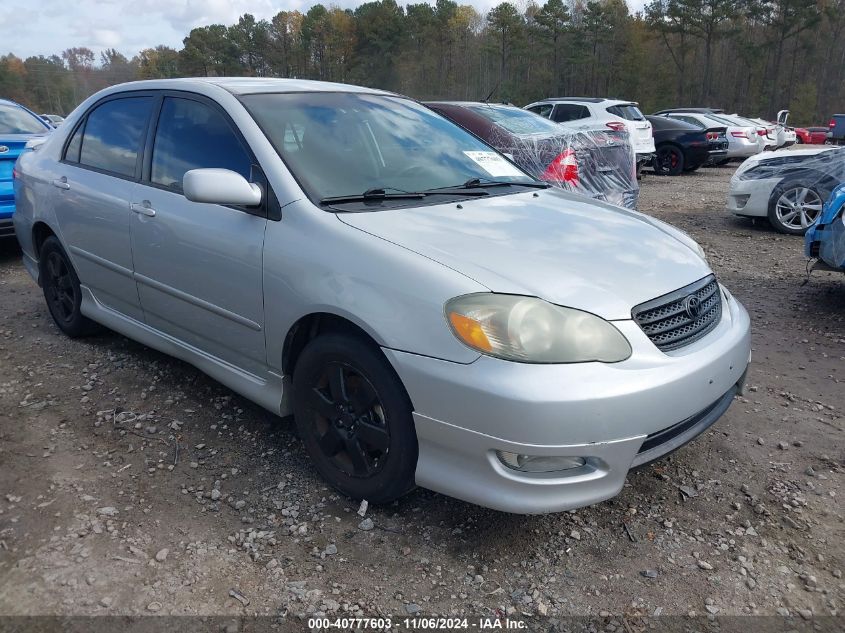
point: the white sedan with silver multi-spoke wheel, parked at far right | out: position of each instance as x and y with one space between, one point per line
788 188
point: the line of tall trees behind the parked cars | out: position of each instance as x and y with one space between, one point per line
750 56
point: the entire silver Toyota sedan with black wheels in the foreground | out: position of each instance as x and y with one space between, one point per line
428 313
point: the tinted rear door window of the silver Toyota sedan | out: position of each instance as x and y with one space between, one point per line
113 135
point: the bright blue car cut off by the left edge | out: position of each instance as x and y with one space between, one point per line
17 126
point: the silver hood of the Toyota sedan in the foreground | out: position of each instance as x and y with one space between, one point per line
557 246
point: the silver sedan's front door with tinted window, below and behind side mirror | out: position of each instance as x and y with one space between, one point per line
198 266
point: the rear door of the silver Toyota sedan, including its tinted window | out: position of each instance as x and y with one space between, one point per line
98 171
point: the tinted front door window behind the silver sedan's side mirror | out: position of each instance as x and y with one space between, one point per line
193 135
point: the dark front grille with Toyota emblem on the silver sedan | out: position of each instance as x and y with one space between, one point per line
674 320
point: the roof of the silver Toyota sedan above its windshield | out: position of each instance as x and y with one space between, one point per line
246 85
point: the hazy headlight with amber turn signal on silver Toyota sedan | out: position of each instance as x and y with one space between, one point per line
530 330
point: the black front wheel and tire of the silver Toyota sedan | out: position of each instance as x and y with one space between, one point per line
355 418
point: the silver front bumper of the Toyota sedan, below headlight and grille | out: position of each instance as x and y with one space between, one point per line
607 414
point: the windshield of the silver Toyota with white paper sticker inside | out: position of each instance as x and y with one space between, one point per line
345 144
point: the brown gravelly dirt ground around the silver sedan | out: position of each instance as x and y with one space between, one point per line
132 484
